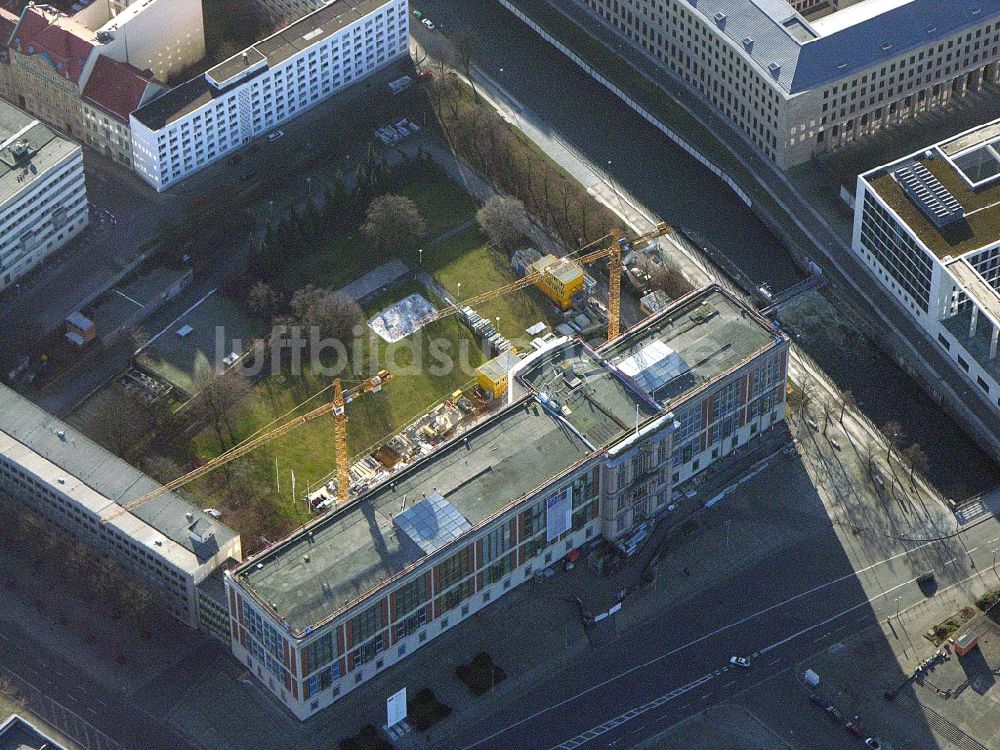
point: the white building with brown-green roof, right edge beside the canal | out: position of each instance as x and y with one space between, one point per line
928 227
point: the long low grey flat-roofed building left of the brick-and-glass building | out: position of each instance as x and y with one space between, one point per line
59 473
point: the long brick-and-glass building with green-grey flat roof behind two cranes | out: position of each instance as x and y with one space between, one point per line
591 443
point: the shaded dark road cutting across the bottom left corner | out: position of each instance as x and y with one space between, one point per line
73 689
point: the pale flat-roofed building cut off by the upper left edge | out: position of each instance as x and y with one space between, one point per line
43 199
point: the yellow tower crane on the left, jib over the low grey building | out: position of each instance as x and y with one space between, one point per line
341 397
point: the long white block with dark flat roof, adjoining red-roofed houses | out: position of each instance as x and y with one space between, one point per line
273 81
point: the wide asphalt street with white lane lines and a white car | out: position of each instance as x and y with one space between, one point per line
777 612
